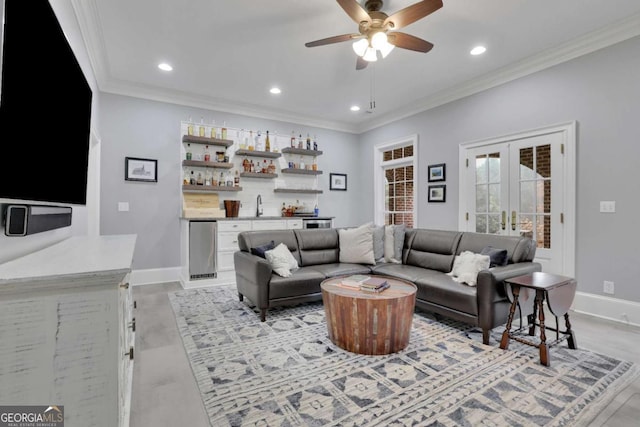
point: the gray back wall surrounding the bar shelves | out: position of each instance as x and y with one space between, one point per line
132 127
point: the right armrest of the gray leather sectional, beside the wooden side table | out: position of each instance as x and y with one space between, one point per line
491 290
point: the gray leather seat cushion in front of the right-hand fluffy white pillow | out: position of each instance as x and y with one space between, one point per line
438 288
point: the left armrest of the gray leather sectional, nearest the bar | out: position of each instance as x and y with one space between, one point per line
253 275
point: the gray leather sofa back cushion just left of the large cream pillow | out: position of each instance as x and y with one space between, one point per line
319 246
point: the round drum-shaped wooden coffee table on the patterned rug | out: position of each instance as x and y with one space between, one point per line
366 322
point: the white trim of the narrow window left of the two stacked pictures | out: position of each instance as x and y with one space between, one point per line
378 178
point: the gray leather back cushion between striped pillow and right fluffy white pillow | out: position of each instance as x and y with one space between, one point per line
433 249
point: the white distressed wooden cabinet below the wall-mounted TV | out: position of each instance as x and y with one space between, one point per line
66 330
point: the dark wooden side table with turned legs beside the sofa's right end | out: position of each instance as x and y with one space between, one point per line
559 292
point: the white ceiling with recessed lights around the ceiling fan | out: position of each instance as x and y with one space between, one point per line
227 54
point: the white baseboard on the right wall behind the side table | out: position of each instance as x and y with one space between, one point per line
618 310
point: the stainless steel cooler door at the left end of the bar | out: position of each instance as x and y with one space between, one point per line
202 249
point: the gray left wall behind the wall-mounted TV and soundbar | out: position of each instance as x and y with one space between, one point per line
14 247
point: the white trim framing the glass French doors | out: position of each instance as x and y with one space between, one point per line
568 130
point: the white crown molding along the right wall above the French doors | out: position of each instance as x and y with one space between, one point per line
615 33
